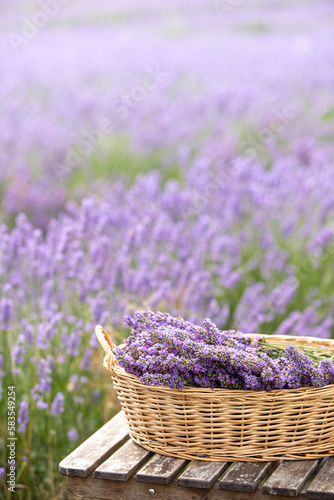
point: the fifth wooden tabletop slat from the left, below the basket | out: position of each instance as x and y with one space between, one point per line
245 476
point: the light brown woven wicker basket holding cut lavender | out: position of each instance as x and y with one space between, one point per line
223 424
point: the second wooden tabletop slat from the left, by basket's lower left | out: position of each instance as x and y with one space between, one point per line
124 463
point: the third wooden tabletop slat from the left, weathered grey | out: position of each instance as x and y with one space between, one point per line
161 469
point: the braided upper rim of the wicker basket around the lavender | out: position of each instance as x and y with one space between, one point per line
219 392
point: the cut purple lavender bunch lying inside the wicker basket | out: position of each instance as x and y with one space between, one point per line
169 351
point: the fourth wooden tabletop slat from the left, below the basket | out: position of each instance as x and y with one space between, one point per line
201 474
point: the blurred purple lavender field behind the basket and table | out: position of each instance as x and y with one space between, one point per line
174 157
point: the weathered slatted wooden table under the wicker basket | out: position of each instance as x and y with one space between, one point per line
110 465
